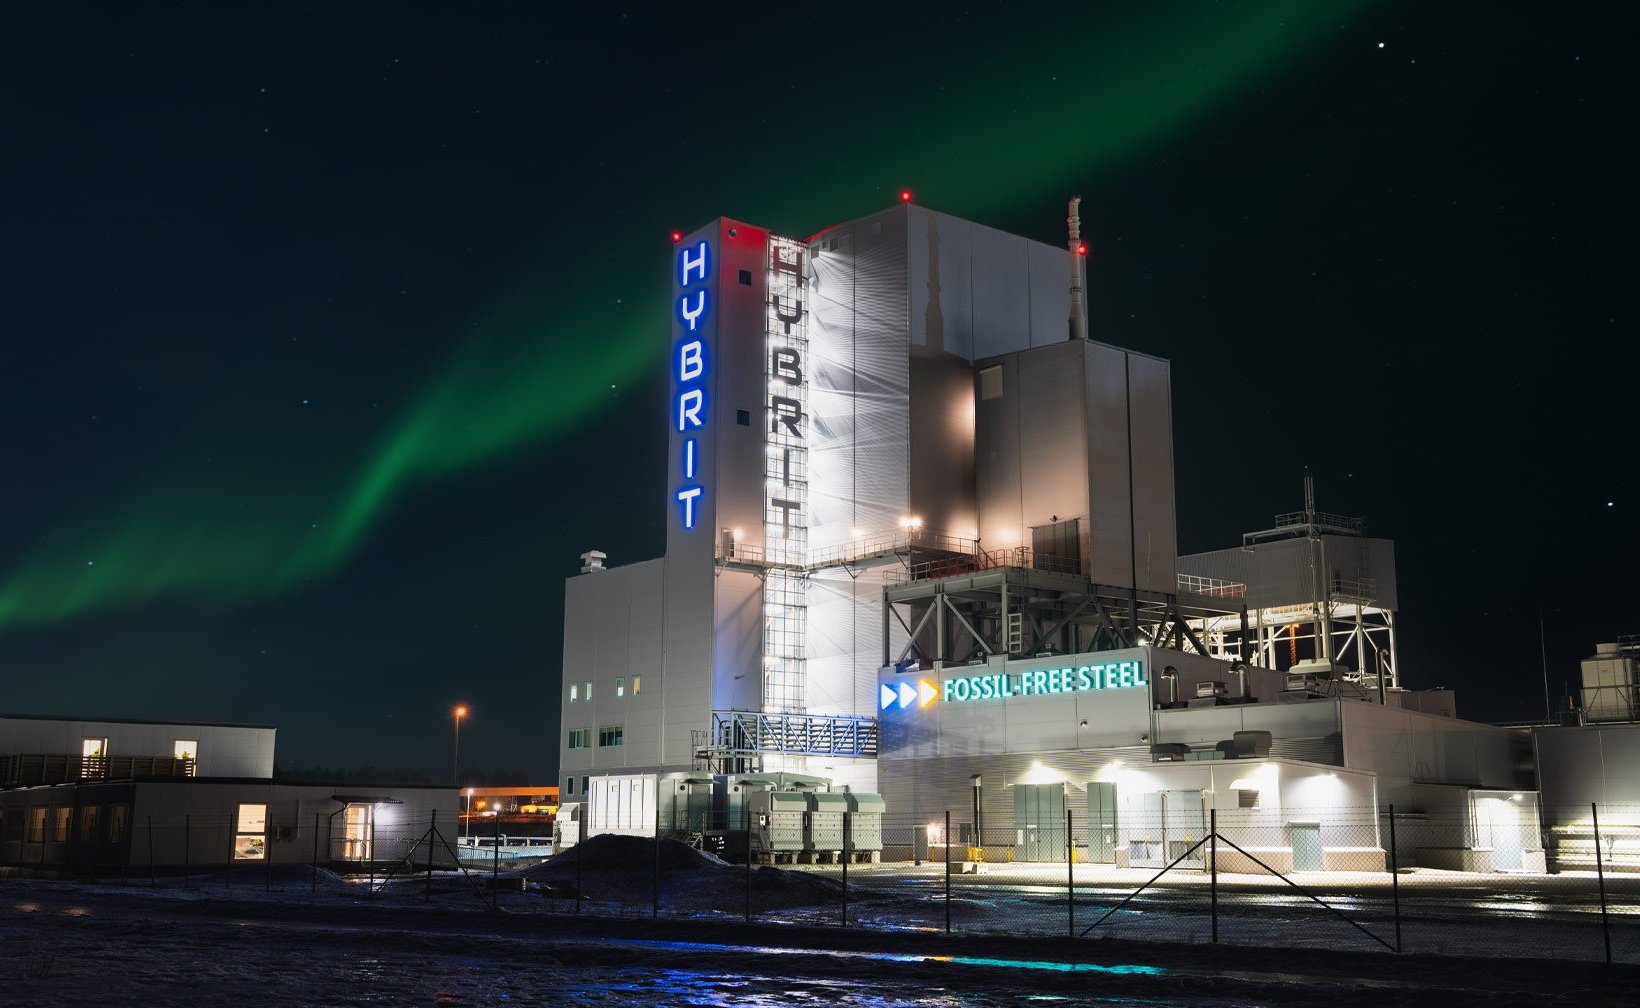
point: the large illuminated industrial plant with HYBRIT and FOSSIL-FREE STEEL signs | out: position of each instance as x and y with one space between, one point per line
921 543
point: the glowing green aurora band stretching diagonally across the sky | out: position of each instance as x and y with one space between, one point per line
214 527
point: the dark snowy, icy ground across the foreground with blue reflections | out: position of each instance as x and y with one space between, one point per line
293 937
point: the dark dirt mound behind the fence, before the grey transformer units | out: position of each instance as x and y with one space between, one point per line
621 870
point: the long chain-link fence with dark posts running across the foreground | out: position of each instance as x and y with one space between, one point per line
1495 878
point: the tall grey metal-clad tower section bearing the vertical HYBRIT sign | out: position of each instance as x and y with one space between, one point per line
845 409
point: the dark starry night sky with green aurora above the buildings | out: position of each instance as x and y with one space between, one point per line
332 338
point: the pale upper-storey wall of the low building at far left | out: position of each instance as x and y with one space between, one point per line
224 750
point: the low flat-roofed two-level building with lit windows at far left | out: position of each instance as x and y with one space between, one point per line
114 796
